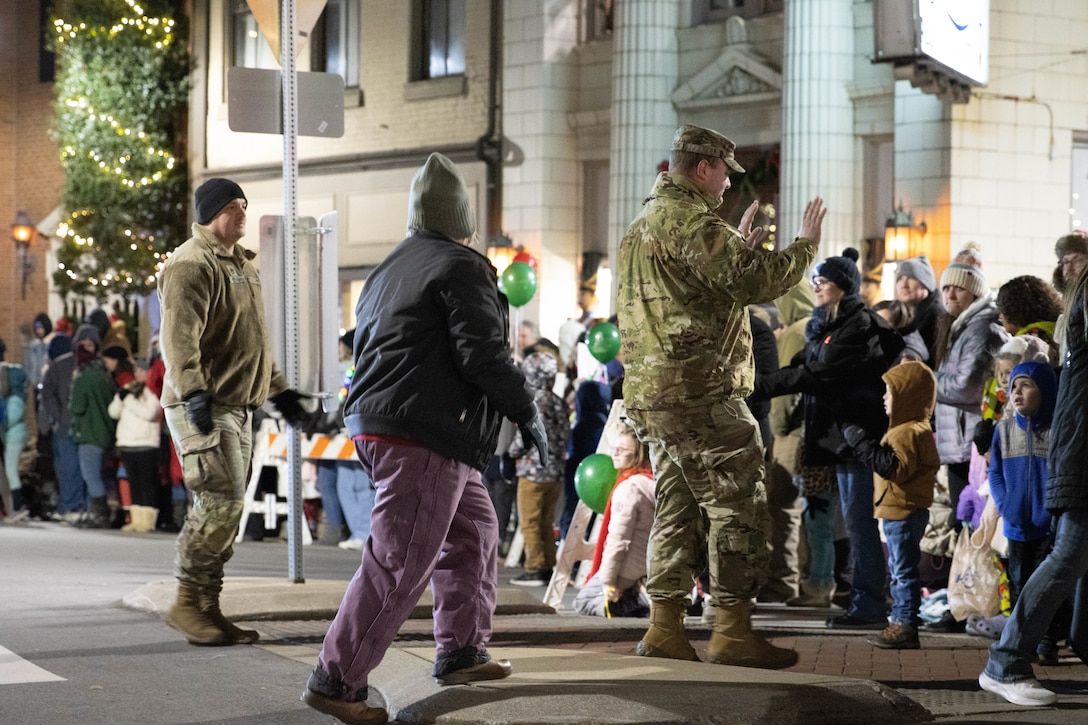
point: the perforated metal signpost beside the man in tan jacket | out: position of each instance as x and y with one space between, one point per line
291 282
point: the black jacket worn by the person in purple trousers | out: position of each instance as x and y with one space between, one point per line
432 353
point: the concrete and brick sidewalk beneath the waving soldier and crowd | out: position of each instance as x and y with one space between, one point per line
572 669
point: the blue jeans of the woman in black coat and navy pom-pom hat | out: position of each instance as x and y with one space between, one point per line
867 554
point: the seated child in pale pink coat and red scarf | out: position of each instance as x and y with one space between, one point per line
620 561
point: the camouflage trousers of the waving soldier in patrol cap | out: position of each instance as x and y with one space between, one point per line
712 506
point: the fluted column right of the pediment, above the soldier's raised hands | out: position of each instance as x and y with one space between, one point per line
820 154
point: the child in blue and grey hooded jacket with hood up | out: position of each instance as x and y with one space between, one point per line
1019 481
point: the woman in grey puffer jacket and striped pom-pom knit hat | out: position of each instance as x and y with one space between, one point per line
968 339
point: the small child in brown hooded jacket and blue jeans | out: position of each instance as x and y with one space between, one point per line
906 464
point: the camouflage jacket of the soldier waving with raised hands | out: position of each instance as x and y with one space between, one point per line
685 280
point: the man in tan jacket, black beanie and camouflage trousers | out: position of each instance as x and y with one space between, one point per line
219 368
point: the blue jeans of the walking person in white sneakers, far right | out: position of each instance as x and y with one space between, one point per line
1060 575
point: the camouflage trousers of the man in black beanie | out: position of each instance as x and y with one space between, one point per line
217 469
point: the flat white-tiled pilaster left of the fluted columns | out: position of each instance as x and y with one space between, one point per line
542 178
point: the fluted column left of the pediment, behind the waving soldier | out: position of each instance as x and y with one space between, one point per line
644 120
